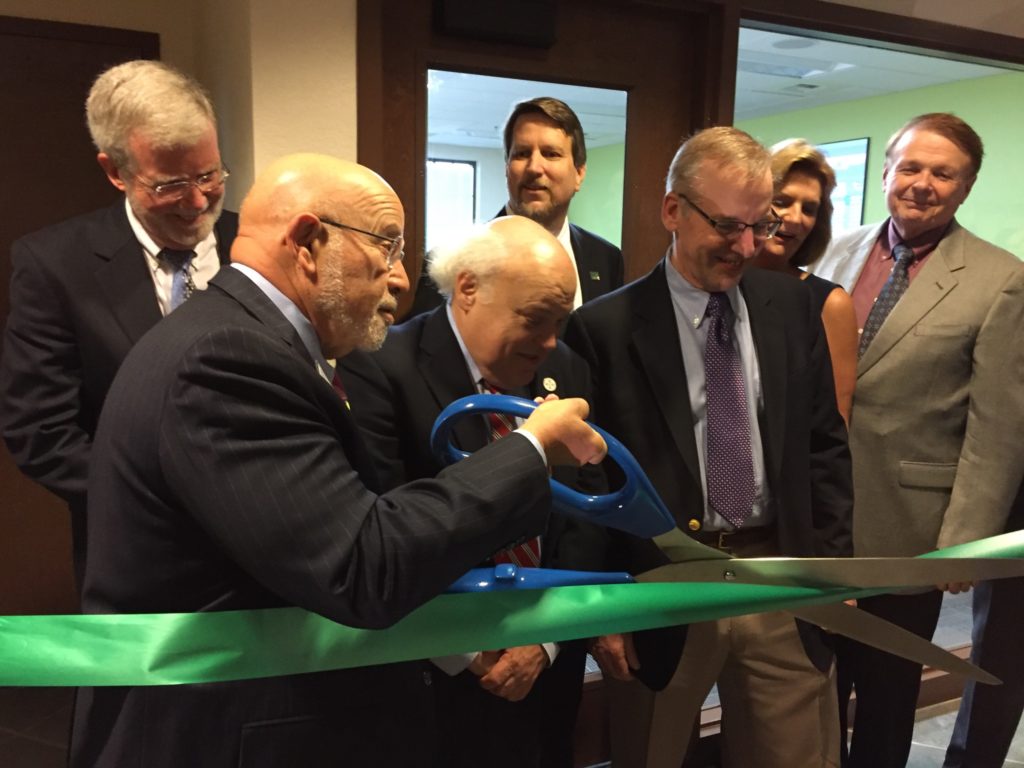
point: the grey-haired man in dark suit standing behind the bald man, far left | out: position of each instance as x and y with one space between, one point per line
84 291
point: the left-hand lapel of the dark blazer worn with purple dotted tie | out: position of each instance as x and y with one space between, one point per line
656 339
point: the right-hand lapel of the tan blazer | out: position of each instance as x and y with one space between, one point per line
931 286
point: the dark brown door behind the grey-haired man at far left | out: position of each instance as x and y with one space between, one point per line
47 70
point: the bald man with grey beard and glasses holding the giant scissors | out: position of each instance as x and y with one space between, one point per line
228 475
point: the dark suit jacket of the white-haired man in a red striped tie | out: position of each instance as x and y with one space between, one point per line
397 395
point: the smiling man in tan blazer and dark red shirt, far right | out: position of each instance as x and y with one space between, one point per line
938 412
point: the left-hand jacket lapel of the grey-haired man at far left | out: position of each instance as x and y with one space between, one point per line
124 277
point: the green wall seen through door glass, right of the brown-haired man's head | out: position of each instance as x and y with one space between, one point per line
599 205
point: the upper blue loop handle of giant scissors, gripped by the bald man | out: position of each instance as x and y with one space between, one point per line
635 508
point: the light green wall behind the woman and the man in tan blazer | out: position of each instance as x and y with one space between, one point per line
994 107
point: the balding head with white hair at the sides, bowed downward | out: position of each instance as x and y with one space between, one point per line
511 285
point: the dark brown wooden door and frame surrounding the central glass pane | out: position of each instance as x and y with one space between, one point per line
673 64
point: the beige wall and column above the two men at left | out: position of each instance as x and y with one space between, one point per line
282 74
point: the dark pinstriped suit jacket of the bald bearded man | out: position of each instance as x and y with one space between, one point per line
227 475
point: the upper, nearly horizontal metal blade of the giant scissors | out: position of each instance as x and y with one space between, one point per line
861 573
